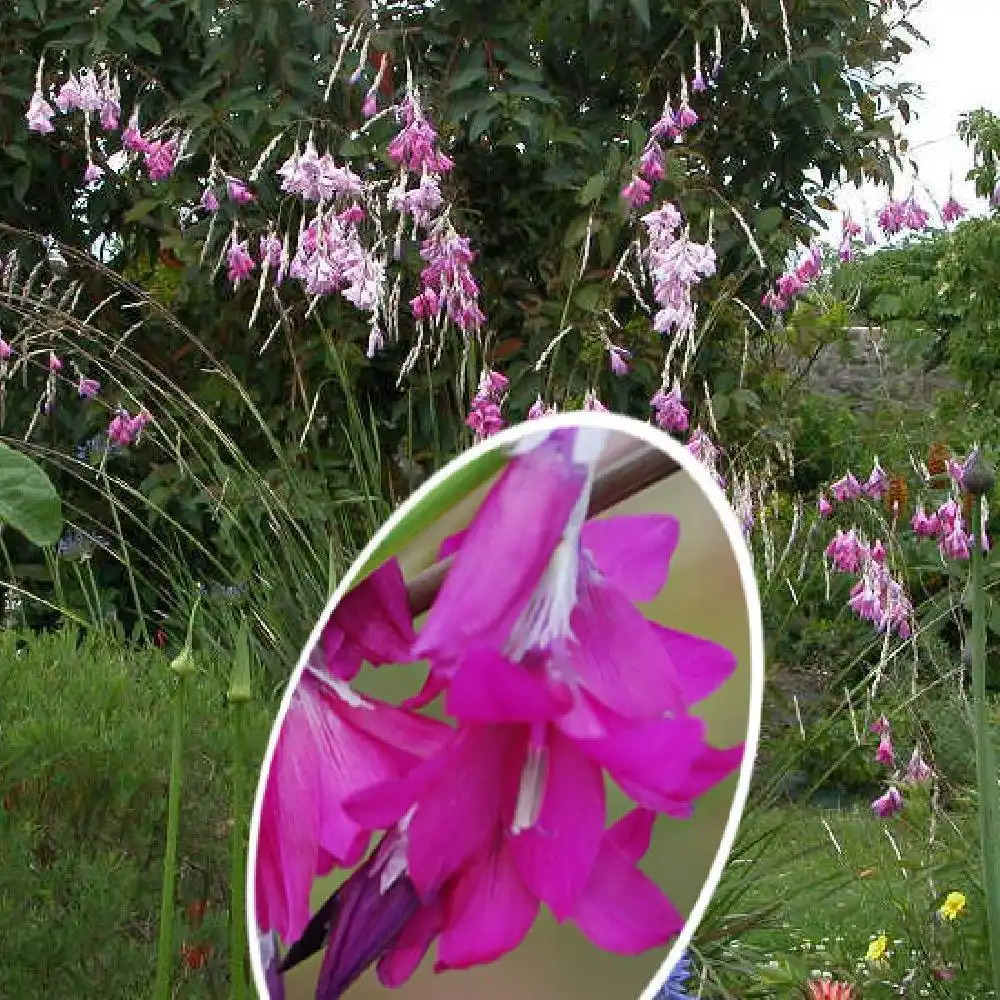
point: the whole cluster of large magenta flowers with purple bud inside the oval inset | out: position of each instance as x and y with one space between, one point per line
552 682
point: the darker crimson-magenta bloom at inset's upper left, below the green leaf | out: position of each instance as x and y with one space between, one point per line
371 623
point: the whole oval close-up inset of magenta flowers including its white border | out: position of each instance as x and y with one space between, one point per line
513 757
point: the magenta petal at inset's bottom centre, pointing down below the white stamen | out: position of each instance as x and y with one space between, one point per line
489 912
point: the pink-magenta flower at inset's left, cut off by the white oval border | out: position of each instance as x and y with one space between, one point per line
332 744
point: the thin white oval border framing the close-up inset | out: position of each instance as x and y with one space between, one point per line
711 491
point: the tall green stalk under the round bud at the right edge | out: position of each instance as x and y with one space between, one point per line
986 768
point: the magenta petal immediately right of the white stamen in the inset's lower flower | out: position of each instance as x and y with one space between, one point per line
555 856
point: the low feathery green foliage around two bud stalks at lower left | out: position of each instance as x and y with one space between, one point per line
83 785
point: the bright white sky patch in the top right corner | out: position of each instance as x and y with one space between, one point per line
957 72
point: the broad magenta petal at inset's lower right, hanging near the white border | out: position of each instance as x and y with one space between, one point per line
621 909
